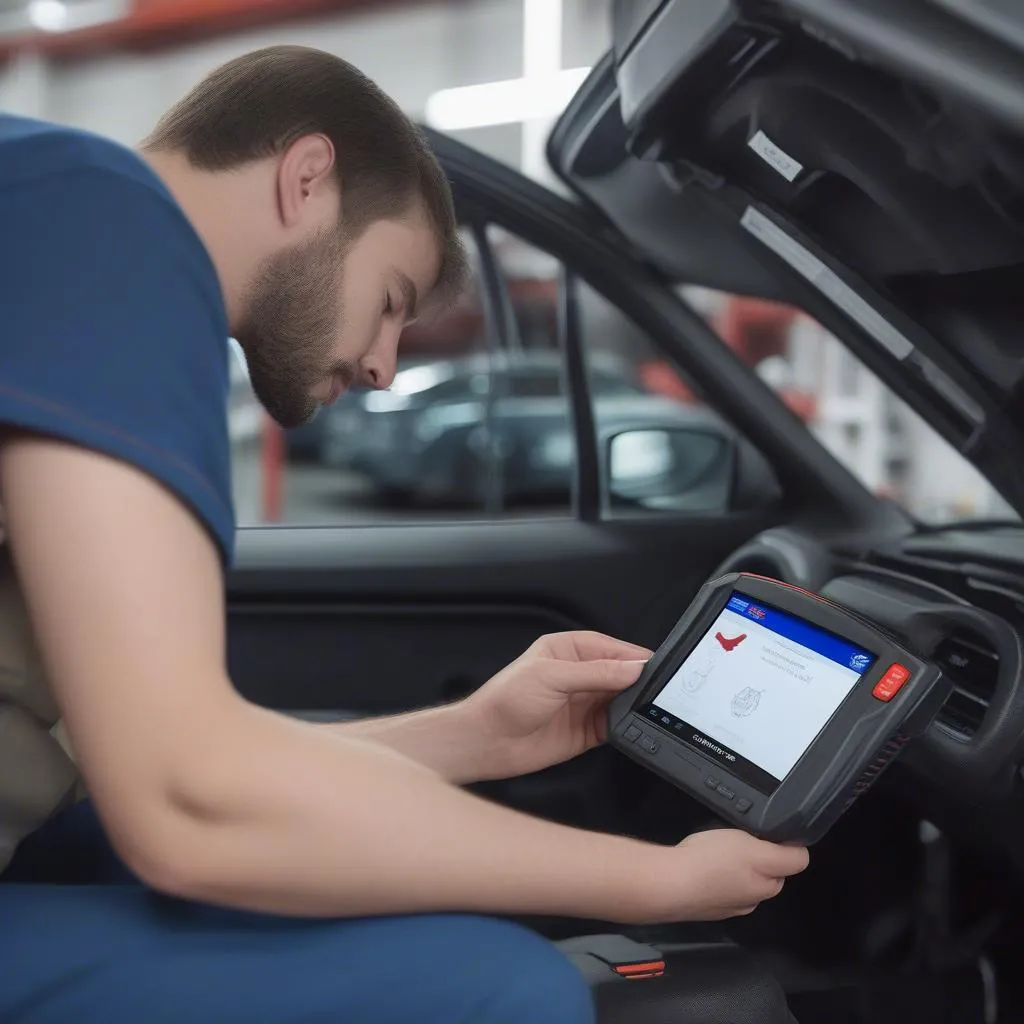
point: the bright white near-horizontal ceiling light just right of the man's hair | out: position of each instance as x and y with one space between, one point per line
504 103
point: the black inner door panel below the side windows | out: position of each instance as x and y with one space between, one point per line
381 620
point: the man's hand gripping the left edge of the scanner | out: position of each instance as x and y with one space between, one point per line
551 704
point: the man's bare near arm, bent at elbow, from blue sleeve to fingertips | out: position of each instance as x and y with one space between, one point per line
214 799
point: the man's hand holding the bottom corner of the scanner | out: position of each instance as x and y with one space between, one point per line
720 874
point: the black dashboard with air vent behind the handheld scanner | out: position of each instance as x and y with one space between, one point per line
956 599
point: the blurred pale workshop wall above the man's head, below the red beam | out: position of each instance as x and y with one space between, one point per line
411 53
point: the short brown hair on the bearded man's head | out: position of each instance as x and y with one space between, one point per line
259 105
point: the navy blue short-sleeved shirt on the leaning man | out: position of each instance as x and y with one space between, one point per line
113 330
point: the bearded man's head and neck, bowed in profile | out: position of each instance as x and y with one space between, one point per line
329 219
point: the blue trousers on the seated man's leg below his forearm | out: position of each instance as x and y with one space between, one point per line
82 943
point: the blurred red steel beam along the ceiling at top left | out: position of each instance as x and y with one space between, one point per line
157 24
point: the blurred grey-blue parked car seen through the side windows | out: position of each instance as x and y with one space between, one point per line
455 432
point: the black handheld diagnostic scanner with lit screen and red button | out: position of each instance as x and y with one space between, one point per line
775 707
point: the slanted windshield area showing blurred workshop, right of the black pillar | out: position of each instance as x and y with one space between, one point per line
874 434
